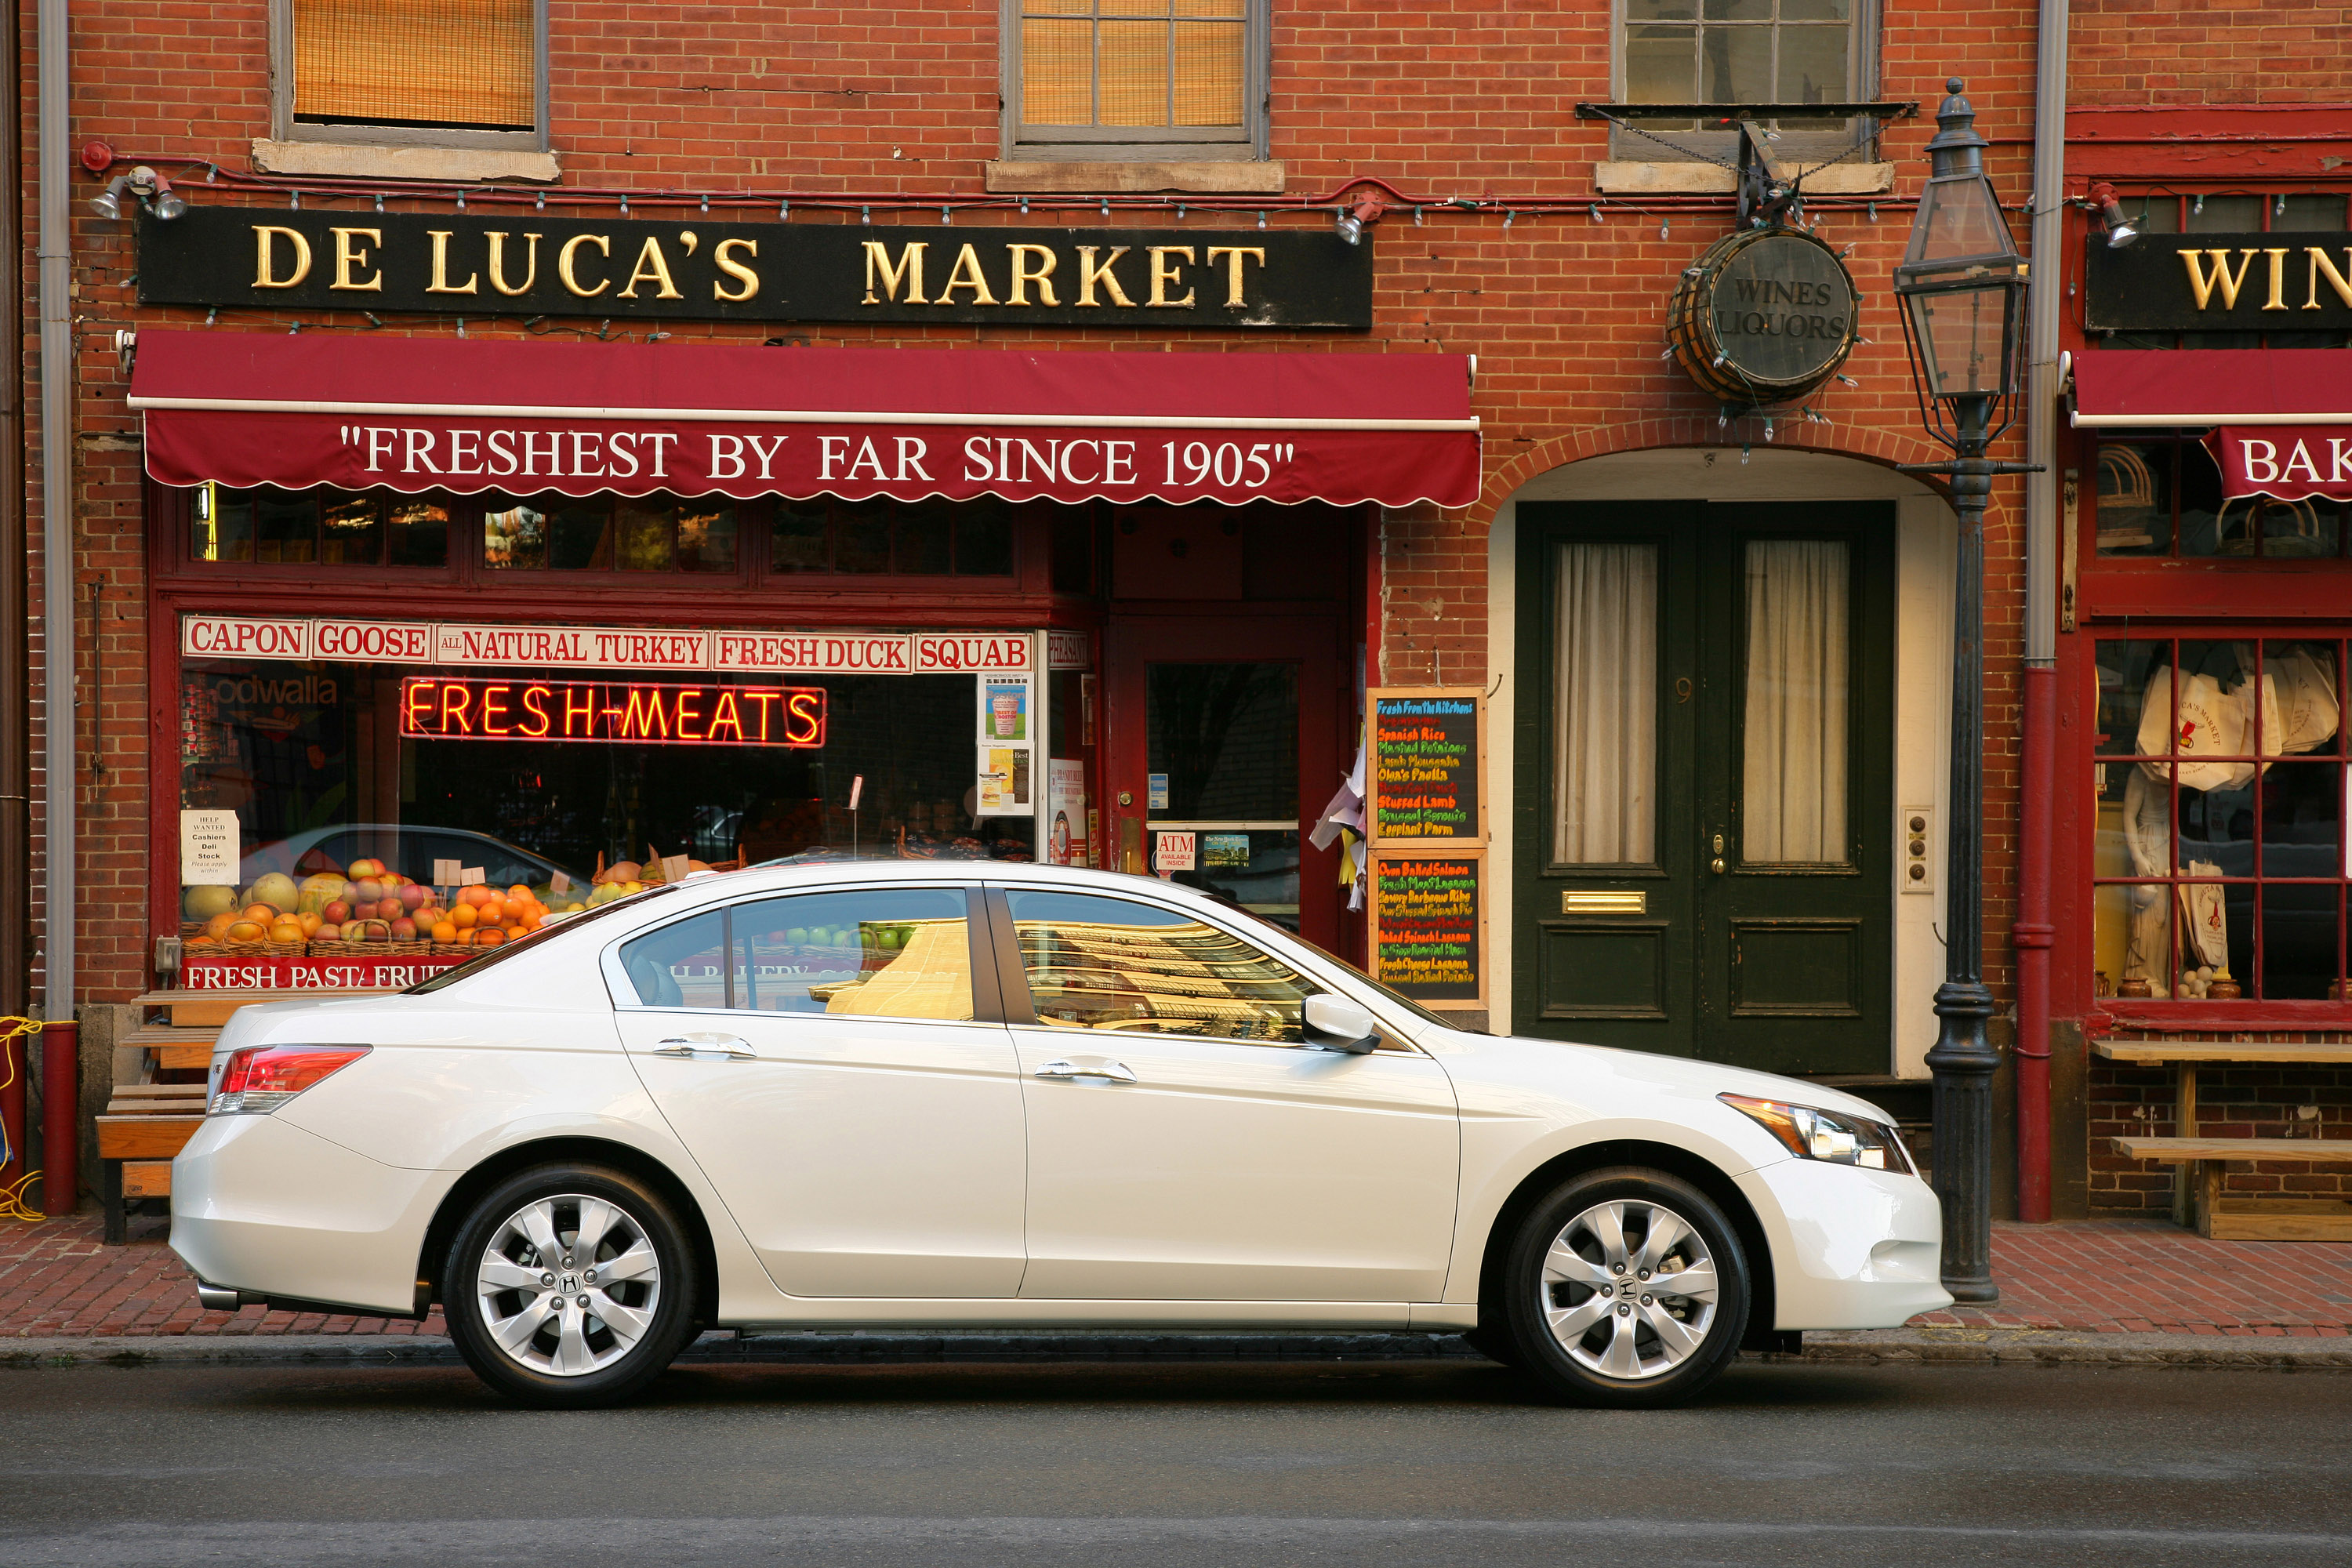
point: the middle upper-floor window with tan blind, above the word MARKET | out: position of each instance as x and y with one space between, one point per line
1135 79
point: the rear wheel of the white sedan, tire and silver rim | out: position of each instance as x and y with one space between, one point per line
556 1327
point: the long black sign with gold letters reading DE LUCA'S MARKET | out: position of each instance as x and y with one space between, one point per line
537 264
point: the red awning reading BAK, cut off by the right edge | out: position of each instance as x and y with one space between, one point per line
2285 415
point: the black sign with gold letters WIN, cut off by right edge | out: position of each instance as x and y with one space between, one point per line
2221 283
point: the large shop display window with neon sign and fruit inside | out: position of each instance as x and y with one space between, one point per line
575 782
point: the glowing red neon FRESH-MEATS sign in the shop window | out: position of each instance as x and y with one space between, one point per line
617 713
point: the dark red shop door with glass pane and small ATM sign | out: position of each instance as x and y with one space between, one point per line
1229 730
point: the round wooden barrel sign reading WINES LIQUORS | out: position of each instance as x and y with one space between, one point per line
1763 319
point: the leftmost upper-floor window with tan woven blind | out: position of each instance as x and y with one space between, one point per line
410 72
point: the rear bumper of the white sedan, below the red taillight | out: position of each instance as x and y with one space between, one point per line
265 1209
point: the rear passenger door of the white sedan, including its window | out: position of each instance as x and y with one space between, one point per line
824 1061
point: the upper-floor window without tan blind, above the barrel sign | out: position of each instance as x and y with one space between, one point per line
1742 53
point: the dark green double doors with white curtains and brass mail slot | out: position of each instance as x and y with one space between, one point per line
1706 723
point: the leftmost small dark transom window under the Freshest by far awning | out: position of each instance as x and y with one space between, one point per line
319 528
